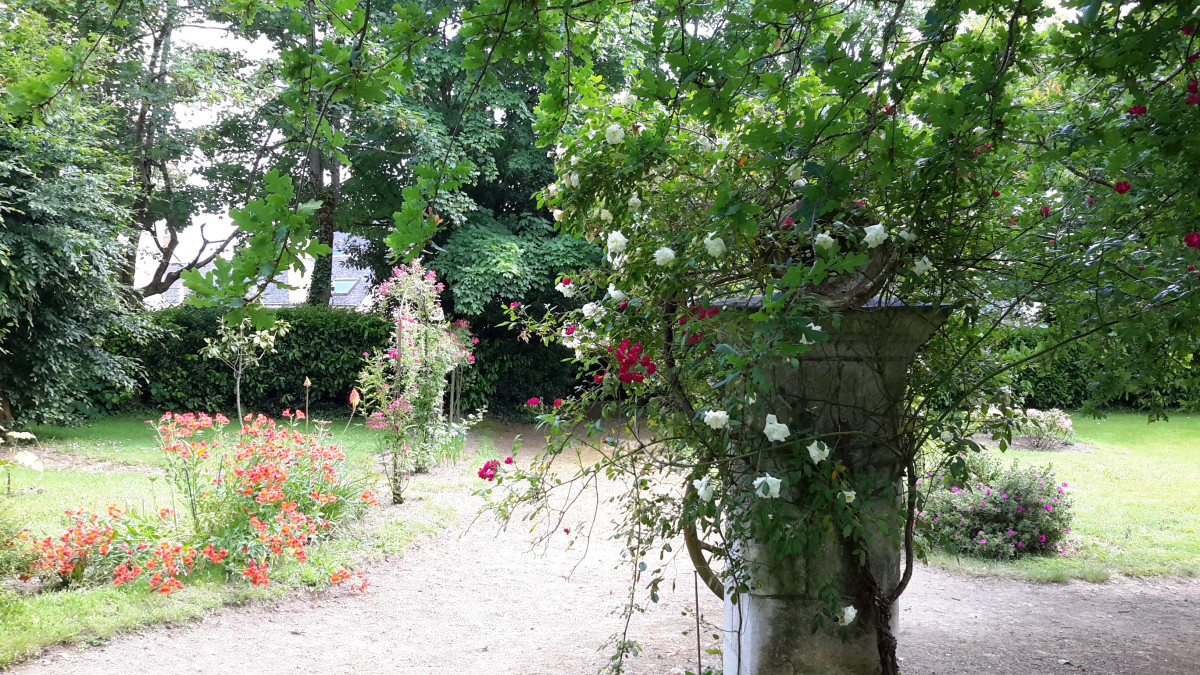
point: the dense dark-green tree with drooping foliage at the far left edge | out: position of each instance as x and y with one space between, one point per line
62 229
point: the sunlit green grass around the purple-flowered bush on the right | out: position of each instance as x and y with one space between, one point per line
1137 503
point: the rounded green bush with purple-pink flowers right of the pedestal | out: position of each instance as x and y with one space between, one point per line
1001 515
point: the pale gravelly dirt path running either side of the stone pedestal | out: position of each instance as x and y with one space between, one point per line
479 602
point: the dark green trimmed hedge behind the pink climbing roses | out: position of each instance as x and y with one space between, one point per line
325 345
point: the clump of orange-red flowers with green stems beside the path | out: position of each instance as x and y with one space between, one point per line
250 500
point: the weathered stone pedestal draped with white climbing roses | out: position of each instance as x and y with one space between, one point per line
853 384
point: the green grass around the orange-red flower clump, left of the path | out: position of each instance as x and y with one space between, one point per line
93 614
